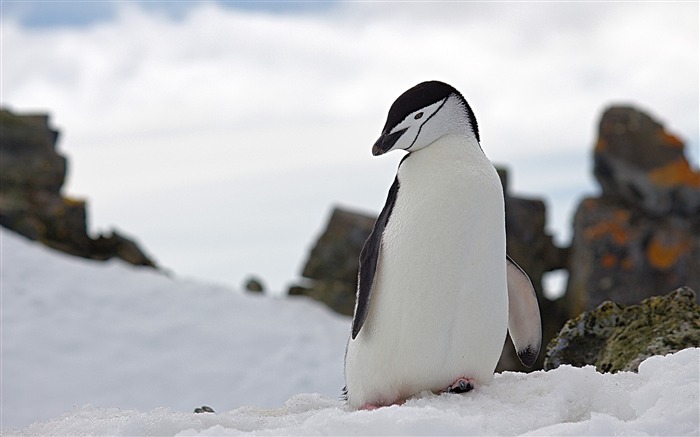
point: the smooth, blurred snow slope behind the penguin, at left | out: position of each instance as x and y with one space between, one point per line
77 331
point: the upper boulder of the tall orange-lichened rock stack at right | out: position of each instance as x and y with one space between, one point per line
642 165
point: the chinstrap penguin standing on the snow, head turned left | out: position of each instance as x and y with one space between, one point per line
436 290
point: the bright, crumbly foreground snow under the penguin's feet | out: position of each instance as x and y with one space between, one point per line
662 399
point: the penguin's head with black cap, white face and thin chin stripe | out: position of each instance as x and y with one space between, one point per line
422 115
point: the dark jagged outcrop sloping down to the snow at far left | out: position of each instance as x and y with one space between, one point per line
32 174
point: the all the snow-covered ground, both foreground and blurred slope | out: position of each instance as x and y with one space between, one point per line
92 348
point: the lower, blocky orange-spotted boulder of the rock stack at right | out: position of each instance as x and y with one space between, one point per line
620 255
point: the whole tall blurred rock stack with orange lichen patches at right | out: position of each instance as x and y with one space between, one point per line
643 233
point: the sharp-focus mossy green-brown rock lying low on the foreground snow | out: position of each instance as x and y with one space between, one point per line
616 337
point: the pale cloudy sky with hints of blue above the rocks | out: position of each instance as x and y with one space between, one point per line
221 134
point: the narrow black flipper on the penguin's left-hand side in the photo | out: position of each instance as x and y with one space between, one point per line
368 260
